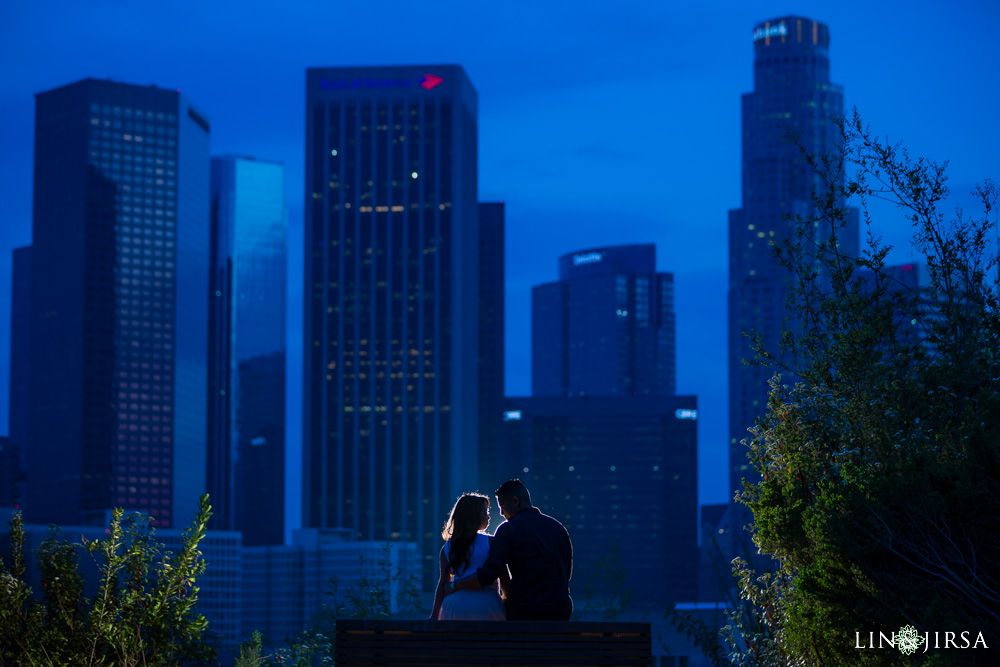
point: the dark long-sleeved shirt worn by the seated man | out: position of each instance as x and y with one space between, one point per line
540 555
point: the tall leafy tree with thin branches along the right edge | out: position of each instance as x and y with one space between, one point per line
880 467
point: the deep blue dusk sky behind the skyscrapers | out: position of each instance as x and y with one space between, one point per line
599 123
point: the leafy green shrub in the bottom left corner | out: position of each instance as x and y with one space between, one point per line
143 613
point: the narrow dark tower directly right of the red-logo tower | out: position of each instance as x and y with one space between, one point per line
491 339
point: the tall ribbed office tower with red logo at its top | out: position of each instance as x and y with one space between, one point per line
391 312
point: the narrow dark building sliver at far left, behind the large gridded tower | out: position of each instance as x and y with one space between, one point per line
20 335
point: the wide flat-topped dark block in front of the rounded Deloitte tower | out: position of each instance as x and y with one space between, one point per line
621 473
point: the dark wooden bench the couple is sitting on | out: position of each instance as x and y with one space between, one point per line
521 643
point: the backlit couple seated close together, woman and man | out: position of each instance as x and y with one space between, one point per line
521 573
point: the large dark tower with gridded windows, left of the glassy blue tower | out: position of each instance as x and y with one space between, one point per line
119 304
